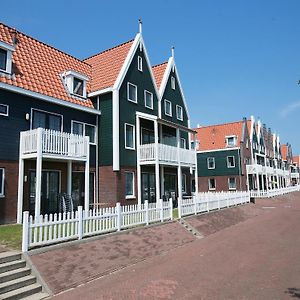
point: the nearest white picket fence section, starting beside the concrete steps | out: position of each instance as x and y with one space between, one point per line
54 228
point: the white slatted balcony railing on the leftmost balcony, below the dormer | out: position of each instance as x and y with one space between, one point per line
54 143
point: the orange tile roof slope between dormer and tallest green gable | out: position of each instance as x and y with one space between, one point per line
107 65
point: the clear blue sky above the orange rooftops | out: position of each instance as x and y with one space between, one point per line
235 58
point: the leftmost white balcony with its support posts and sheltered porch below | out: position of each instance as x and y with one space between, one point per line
41 147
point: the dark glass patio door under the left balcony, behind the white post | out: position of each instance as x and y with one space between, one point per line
49 191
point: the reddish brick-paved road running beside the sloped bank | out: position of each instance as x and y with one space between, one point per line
255 256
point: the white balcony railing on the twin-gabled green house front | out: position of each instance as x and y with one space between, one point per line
166 153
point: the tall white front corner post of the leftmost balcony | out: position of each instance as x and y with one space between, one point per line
38 173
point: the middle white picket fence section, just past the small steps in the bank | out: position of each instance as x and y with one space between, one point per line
204 202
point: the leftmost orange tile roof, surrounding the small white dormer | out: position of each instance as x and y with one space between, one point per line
37 67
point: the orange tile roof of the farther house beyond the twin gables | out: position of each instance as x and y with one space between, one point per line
214 137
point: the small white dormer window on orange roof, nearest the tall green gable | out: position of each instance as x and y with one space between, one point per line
76 83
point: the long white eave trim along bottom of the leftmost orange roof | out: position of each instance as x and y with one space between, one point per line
53 100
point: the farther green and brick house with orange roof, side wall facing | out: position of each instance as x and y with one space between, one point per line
223 151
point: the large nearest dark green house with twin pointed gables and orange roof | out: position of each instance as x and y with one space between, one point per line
93 132
